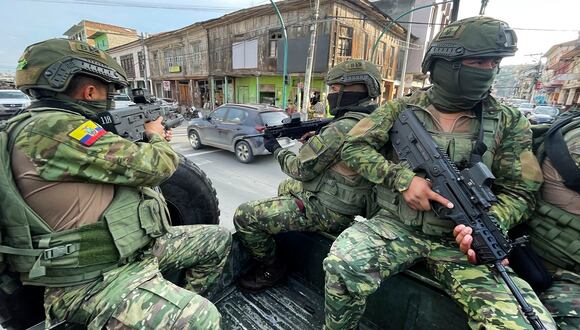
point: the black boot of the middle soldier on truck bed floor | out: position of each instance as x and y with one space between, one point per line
263 276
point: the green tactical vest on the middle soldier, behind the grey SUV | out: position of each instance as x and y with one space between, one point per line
345 195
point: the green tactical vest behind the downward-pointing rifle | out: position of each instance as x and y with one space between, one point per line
459 147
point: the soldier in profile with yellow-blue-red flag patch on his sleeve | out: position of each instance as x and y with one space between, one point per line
102 232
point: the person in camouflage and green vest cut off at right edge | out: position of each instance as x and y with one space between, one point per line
554 229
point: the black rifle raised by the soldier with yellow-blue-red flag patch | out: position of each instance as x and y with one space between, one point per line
129 122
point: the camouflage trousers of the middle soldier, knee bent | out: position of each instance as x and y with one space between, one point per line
293 210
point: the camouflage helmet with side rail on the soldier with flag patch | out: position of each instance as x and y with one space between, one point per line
51 65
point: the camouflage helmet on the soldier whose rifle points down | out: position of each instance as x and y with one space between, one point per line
478 36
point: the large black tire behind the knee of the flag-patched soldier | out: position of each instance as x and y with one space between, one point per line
190 196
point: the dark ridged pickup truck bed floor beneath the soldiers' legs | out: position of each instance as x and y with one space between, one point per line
411 300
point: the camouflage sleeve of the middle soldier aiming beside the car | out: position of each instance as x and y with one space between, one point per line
317 154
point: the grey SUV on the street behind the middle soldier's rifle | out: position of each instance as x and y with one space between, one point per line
226 127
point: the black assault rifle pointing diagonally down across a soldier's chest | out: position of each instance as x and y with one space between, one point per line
470 192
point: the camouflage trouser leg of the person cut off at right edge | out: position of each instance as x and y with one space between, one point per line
562 299
